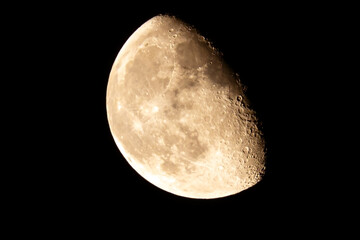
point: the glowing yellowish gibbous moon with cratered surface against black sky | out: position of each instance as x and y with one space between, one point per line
179 114
